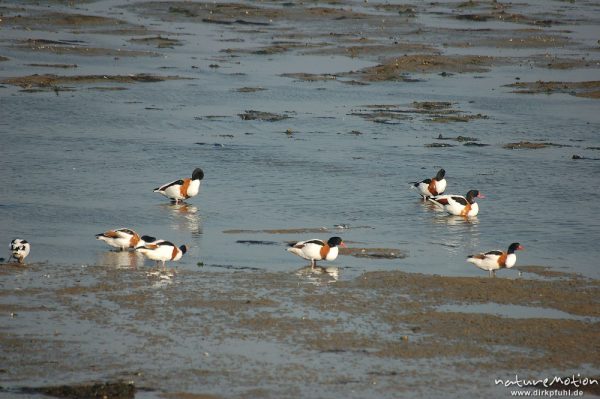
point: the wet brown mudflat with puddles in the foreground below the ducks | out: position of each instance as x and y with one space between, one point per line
381 323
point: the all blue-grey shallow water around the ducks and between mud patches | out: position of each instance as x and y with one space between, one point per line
77 163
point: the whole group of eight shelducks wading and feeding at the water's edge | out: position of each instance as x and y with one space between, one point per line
313 250
